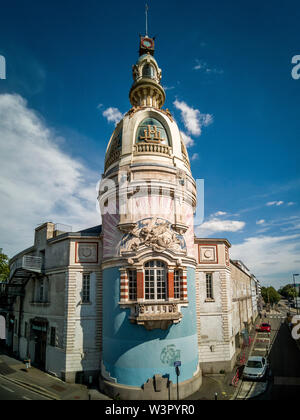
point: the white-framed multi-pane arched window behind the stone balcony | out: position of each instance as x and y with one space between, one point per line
155 281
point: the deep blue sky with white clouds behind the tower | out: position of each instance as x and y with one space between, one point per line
226 64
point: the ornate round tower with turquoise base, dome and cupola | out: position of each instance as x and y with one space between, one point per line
147 198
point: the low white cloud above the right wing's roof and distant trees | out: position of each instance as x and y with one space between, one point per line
269 257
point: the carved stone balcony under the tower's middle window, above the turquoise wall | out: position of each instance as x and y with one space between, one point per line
156 315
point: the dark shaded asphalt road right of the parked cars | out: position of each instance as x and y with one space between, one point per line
284 359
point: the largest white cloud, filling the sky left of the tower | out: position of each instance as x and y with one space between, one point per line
38 181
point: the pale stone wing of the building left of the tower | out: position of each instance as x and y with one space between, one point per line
55 318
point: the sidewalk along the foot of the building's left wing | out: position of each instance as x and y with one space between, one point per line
43 383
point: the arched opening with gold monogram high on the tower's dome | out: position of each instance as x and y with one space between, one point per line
152 131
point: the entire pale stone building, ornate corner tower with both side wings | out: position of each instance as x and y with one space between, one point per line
138 302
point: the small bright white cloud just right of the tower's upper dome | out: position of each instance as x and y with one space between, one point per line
192 118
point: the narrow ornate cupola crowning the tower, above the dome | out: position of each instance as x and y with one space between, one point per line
146 90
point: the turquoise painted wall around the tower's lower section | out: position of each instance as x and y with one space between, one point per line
131 354
